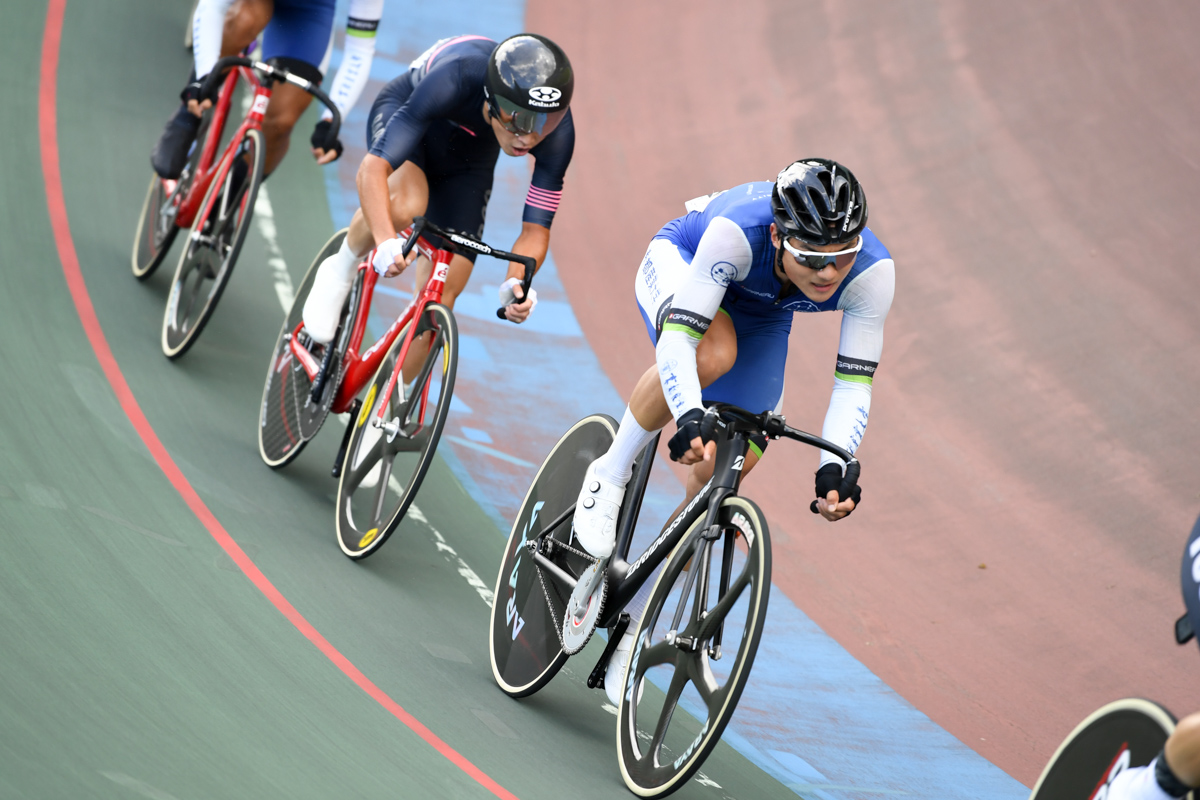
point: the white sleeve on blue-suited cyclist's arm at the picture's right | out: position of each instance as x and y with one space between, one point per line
865 306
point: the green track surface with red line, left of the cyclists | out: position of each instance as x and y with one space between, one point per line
137 659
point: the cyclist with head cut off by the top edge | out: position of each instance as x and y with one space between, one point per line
298 38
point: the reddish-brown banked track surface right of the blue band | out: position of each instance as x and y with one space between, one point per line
1031 465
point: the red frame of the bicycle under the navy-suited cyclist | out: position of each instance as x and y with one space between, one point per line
361 369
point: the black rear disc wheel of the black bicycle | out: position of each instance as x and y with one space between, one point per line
525 649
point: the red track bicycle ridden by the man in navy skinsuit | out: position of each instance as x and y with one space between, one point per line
394 430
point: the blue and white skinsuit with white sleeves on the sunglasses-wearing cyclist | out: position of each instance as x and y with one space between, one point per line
721 258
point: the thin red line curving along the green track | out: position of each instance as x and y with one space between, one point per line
47 124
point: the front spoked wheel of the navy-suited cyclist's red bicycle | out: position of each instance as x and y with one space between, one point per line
359 536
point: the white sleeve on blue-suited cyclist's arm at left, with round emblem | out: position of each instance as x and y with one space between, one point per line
722 257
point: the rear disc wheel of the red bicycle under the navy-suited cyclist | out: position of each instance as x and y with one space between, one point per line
289 419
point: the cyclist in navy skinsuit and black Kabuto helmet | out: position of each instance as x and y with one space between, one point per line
435 135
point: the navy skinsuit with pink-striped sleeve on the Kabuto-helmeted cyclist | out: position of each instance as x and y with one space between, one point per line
434 117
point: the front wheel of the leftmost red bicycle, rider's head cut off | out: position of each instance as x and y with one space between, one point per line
202 264
